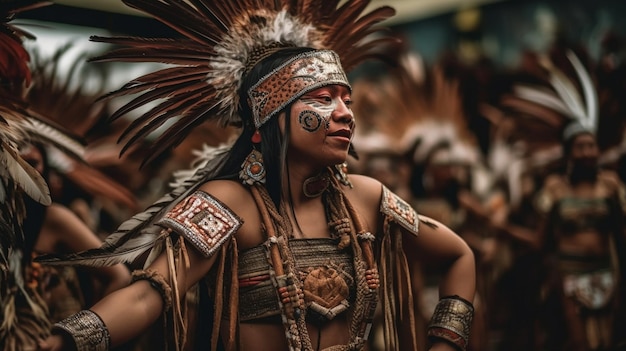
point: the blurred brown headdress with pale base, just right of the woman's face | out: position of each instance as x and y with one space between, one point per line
425 109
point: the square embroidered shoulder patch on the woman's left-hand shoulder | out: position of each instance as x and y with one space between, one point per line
203 220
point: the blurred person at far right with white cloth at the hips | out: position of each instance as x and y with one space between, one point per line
583 211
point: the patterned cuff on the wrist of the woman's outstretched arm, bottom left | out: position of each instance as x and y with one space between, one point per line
86 329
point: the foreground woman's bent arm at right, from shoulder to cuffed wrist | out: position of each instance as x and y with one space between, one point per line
431 243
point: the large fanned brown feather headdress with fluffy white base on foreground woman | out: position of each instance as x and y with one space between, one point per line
221 41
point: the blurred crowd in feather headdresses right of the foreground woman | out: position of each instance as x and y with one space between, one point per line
527 165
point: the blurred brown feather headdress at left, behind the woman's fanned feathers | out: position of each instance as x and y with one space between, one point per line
63 117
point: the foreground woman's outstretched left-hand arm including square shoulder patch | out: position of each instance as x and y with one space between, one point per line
127 312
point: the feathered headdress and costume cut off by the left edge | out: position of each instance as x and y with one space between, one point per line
24 318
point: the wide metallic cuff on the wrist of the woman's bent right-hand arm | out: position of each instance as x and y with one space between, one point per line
451 321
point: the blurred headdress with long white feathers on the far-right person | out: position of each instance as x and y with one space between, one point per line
552 99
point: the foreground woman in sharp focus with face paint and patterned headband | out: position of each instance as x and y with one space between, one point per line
291 250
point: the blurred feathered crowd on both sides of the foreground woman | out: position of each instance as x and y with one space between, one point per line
527 164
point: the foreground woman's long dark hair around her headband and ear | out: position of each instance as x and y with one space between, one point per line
273 145
